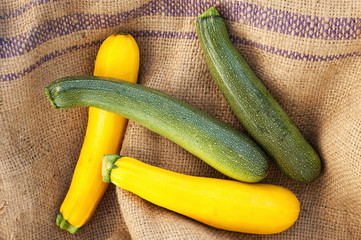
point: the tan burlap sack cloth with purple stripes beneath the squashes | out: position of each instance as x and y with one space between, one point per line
307 53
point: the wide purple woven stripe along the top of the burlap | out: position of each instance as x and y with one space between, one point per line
251 14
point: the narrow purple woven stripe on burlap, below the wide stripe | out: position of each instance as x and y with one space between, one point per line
180 35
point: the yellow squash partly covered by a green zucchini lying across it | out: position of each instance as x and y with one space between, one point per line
118 57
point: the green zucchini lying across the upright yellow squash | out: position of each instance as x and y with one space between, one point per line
221 146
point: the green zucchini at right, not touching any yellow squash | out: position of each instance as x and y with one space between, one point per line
257 110
